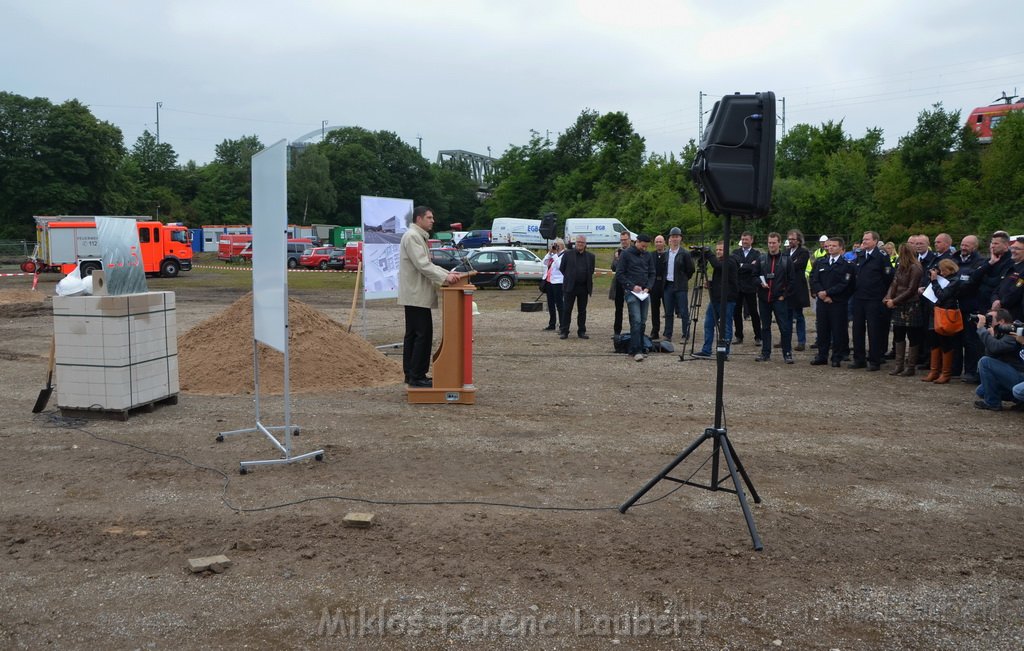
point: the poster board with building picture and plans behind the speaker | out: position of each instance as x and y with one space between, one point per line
383 225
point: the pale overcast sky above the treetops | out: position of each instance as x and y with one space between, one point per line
475 74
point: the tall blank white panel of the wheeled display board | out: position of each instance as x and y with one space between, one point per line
270 246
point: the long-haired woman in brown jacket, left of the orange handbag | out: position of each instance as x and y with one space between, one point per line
905 301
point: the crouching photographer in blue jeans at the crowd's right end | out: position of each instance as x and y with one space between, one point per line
1003 366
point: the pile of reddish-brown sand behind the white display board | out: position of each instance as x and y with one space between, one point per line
217 357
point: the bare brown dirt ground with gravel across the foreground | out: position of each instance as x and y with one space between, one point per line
892 511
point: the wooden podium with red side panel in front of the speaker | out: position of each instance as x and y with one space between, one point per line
454 359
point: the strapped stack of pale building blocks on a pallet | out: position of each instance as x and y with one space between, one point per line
116 353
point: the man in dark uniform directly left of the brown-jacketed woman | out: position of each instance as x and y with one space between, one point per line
873 278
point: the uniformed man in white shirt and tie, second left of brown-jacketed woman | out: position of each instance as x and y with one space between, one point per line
832 284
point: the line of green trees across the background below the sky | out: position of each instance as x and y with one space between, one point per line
60 159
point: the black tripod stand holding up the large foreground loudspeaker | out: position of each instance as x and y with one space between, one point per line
716 435
